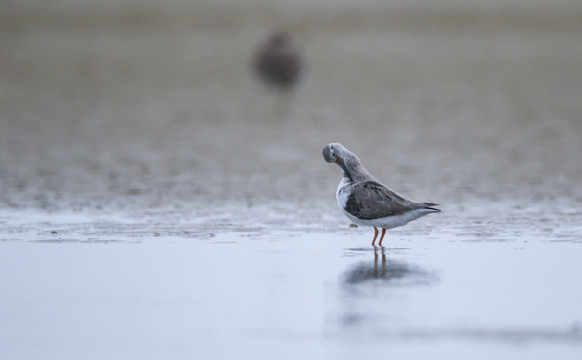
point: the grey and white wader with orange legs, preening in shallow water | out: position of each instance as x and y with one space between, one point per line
366 201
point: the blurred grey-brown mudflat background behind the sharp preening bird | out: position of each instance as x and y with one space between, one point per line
149 106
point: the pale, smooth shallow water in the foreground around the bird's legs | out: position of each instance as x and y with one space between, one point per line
289 295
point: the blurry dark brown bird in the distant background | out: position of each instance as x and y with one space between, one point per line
278 62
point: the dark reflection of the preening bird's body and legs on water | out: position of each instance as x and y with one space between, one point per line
387 272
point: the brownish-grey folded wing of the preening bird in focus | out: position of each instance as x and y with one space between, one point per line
371 200
